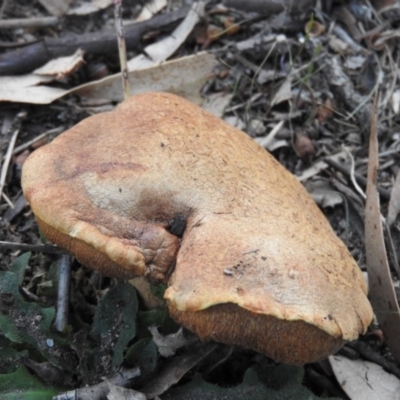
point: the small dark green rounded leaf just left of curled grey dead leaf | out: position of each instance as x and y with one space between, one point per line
143 354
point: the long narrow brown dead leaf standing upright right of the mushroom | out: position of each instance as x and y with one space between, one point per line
381 291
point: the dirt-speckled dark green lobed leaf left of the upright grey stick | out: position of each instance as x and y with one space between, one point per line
26 322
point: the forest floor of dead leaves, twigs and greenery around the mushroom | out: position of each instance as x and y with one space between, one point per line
300 80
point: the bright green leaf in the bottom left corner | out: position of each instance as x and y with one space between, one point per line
22 385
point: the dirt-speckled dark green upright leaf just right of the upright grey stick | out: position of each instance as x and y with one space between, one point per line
114 321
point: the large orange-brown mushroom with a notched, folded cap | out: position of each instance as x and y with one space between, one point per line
162 189
